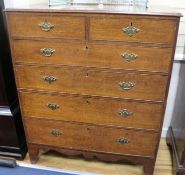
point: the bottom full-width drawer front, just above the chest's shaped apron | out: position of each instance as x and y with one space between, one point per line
91 138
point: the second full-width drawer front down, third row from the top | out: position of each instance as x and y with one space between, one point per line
94 82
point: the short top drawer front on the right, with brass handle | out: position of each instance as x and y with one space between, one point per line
132 29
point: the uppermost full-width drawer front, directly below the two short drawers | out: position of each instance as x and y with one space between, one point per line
95 55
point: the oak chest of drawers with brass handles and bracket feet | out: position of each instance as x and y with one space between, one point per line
93 83
